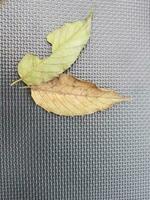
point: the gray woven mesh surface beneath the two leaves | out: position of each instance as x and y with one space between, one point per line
105 155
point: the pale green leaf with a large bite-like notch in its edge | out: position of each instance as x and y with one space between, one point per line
67 43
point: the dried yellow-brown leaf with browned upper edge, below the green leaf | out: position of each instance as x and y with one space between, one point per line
69 96
